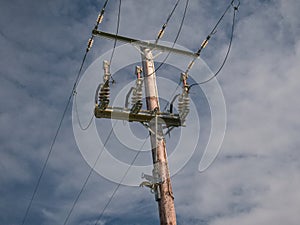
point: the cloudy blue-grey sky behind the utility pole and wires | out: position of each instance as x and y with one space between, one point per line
255 178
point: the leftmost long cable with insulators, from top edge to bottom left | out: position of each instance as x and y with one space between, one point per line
73 91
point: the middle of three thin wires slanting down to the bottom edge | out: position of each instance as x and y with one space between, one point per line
89 175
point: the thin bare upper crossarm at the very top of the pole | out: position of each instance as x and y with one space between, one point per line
145 44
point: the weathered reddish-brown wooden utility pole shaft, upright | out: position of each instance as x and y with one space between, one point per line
164 194
